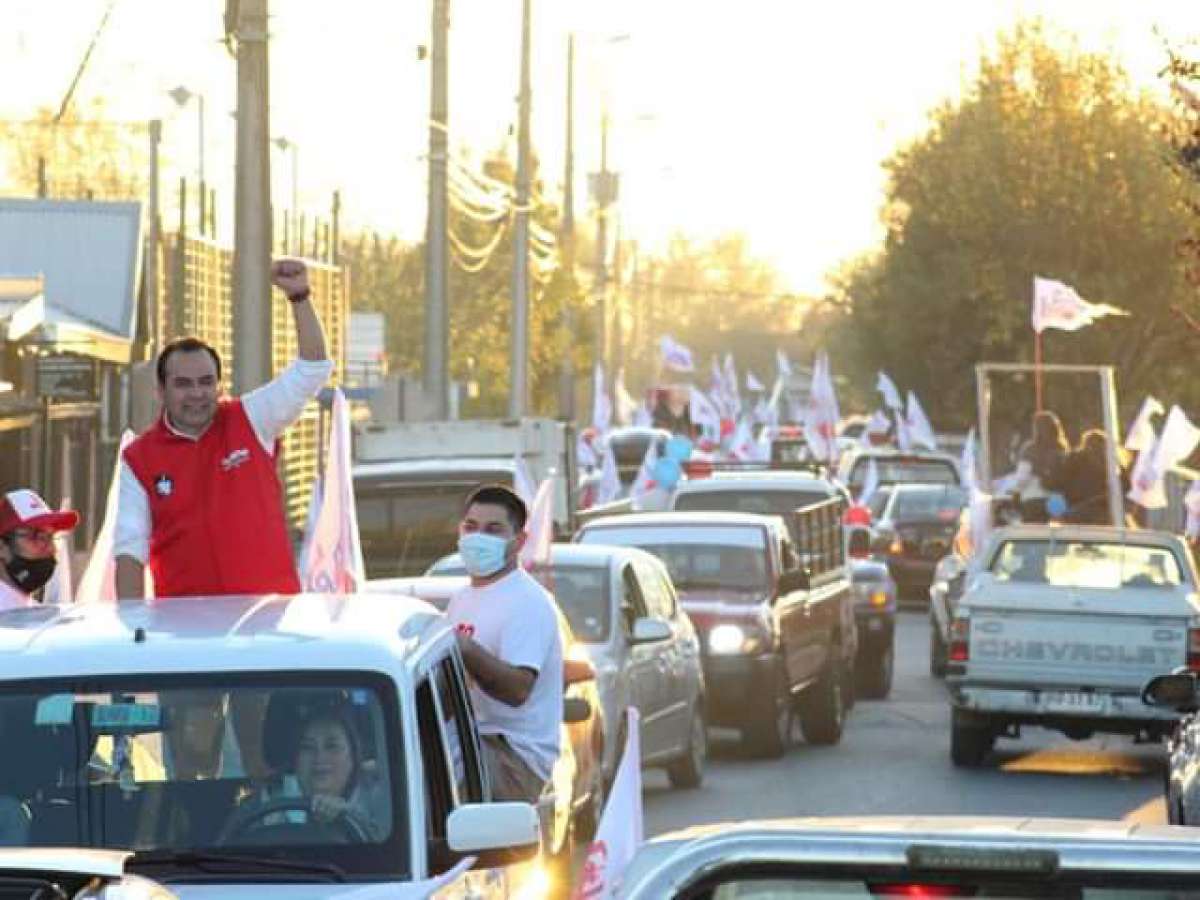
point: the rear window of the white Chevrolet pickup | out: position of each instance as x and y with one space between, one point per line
1087 565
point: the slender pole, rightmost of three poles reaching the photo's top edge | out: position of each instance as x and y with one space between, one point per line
519 391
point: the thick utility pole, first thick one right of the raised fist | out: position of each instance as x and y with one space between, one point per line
437 254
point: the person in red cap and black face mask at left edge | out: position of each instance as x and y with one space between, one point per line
27 545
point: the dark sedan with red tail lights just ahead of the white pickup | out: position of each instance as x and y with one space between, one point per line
915 530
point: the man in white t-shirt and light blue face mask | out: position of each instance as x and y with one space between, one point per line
508 634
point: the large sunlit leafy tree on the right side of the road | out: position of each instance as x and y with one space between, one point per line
1051 165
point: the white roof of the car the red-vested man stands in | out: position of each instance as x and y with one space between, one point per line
189 635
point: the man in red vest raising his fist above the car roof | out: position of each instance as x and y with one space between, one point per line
200 499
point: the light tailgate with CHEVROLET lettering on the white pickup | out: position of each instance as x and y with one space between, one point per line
1091 643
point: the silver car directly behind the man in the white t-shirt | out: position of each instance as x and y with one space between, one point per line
623 609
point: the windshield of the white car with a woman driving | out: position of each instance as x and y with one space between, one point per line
220 764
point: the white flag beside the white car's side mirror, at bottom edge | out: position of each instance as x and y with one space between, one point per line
621 831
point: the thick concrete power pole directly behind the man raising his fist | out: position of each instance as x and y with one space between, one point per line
253 200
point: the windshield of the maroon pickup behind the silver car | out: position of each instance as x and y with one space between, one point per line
699 559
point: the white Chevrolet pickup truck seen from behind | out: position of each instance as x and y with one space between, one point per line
1061 626
